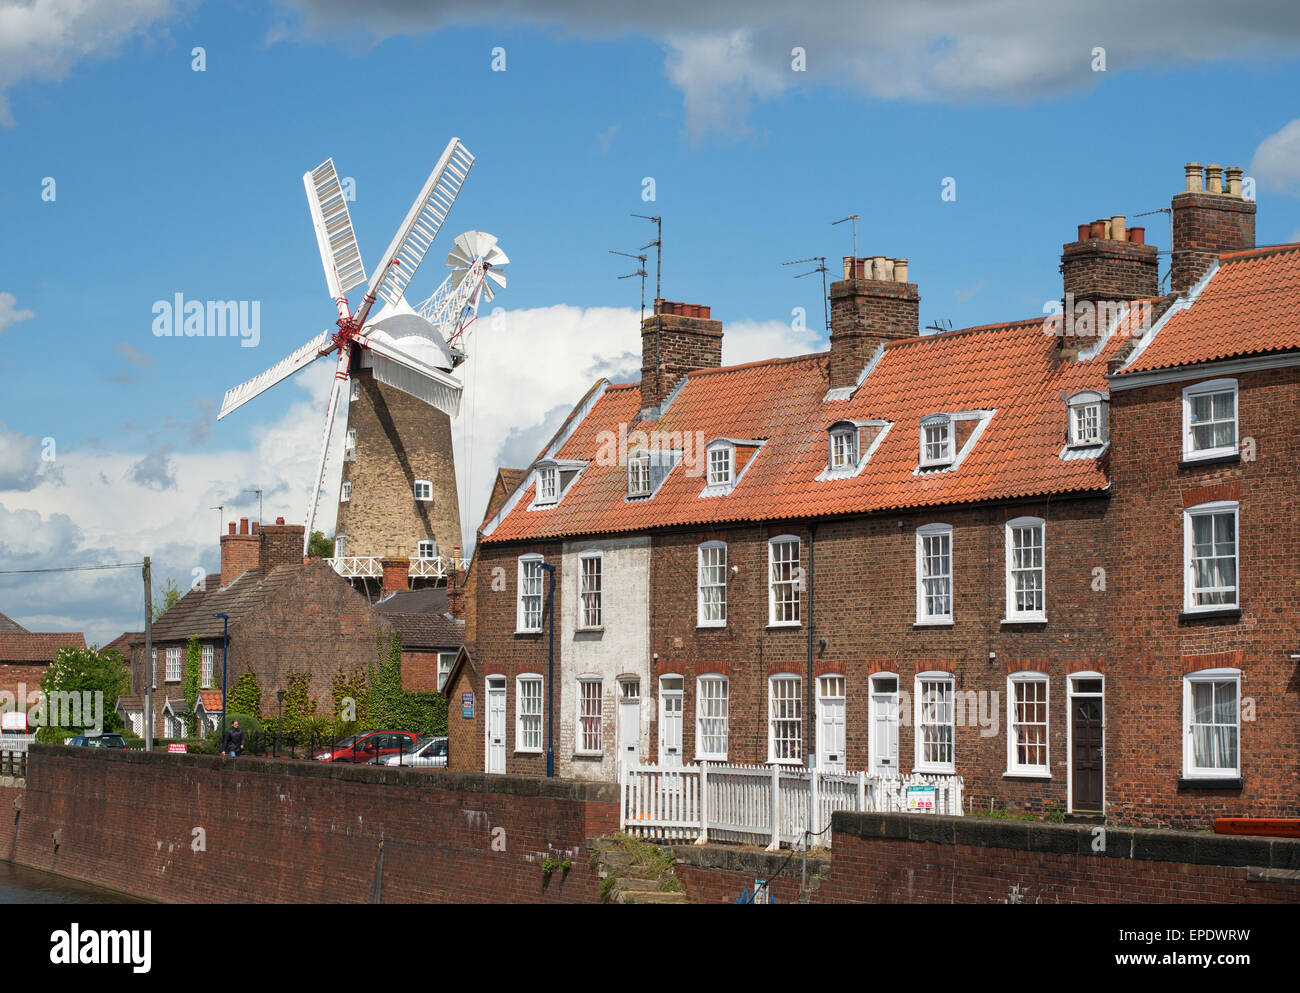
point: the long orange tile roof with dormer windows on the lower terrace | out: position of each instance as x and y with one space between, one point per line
1011 370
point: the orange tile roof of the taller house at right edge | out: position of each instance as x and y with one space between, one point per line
1250 307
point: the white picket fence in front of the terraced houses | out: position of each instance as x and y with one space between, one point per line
768 805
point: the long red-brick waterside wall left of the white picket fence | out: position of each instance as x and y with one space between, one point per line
287 831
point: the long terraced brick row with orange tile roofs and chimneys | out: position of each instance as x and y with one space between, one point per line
1009 553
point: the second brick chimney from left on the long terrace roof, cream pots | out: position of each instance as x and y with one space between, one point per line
873 305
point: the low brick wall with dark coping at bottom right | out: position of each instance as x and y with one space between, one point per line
907 858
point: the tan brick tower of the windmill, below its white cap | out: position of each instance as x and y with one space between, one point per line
400 440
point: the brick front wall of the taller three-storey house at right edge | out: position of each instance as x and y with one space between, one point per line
1156 648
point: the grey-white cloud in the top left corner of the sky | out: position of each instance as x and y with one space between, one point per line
44 40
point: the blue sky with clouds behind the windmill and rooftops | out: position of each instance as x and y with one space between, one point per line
177 181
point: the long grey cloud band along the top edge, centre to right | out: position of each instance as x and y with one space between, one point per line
725 55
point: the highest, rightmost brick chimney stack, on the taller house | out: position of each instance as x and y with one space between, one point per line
1208 220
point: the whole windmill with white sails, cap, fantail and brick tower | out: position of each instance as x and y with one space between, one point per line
398 489
